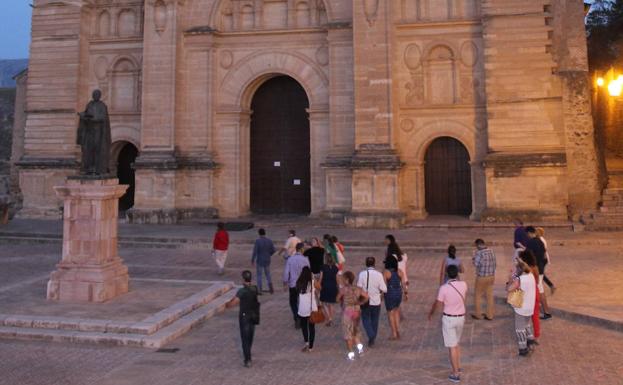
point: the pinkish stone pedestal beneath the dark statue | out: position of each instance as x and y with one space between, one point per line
90 270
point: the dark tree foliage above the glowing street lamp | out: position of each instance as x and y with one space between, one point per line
604 26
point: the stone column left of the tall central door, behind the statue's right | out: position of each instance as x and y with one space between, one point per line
156 165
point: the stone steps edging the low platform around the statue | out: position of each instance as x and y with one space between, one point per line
152 332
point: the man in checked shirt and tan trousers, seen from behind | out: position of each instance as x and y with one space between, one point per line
484 262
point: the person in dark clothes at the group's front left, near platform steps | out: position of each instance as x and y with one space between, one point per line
249 314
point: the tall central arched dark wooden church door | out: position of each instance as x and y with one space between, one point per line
280 149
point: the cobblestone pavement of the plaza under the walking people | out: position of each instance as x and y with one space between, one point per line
570 353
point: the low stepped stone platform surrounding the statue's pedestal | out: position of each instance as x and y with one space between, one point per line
153 313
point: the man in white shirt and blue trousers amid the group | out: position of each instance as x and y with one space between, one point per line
373 283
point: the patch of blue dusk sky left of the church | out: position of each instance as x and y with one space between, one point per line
14 28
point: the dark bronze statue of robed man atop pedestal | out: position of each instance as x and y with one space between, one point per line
94 137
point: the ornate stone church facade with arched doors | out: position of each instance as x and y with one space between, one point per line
386 110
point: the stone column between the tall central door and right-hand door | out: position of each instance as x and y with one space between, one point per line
375 164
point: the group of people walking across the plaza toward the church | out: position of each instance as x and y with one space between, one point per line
316 280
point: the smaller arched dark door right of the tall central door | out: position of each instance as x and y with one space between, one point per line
448 178
